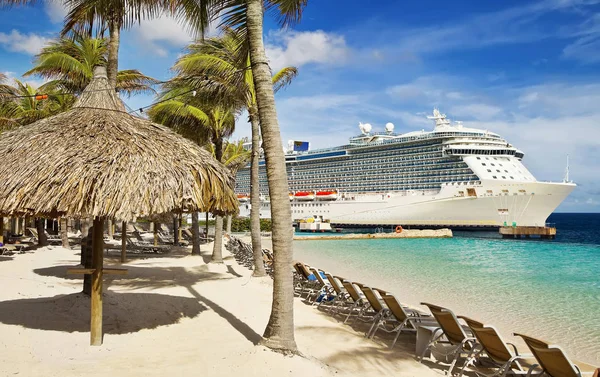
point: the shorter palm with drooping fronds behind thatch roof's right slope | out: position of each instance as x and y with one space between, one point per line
187 116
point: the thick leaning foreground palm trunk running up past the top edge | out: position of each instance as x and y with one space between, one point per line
279 333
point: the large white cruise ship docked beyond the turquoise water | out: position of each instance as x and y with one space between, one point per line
452 176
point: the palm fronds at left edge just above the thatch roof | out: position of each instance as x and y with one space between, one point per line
21 104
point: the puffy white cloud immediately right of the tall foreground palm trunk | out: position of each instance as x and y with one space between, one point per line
297 48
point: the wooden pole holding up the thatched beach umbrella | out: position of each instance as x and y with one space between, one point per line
96 298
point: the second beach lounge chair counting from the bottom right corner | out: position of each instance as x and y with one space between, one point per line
491 348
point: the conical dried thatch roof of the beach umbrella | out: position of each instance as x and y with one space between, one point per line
98 160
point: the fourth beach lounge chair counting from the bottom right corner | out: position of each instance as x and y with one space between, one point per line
398 319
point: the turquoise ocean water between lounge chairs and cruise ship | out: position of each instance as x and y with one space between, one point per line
546 289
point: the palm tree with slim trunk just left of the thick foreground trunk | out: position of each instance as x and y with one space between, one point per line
225 61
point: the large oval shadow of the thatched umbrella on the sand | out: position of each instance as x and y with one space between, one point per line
71 313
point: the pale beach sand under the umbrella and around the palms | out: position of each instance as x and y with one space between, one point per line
172 315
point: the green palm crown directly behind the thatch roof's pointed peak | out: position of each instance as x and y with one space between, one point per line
69 64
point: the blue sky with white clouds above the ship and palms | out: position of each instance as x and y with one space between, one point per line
528 70
